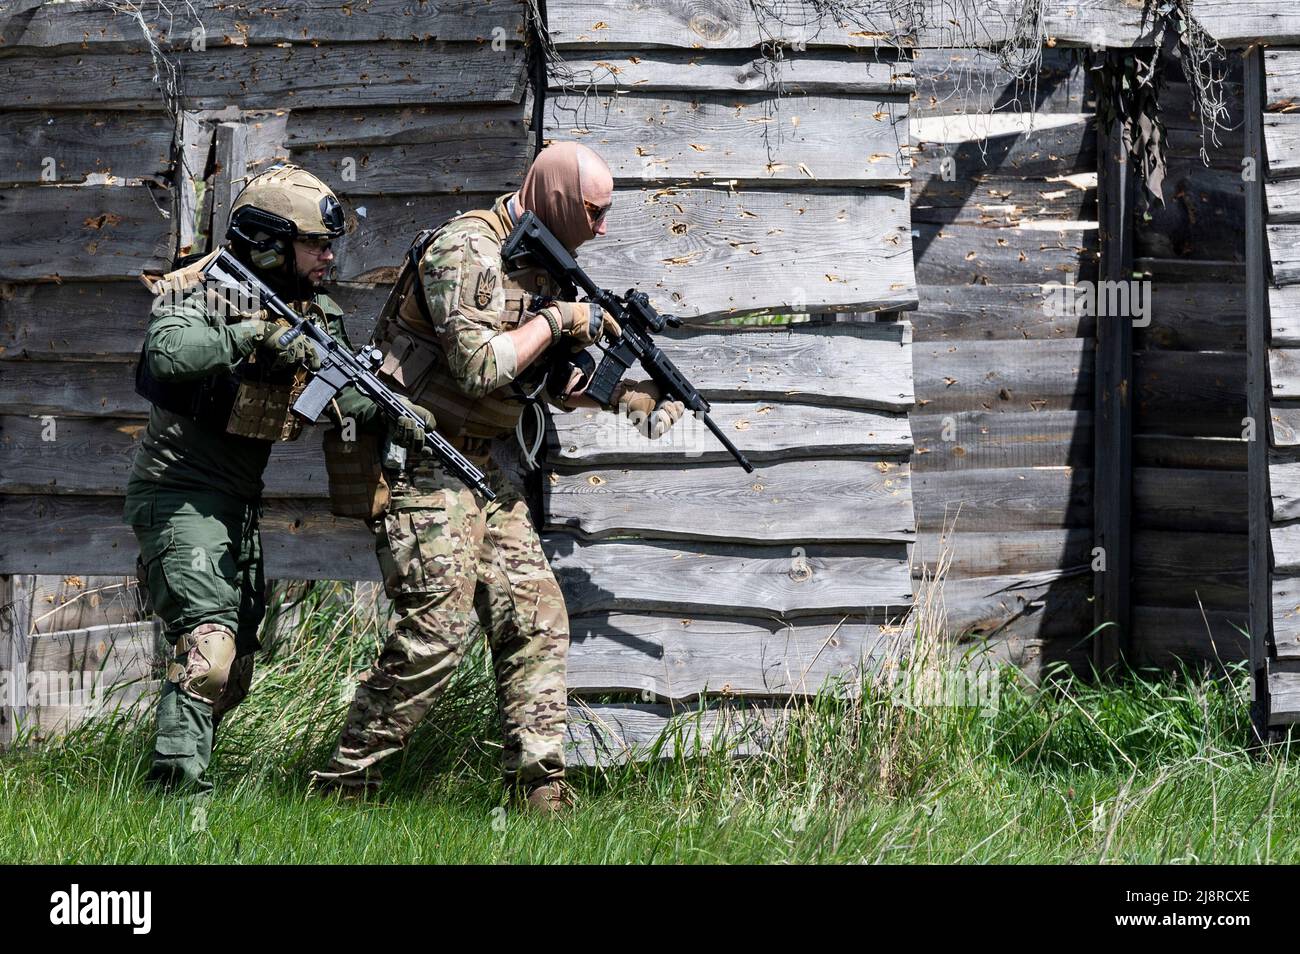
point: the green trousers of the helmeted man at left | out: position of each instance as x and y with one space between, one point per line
201 562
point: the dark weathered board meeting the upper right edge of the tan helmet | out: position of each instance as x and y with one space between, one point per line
482 164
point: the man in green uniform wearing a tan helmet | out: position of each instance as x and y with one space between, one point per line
222 387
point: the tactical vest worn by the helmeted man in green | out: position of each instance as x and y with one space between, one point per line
252 400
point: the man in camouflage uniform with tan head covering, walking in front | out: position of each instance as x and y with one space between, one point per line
466 344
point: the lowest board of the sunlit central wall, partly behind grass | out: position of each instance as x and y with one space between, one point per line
616 734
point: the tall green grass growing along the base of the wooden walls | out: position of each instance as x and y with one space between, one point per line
1146 767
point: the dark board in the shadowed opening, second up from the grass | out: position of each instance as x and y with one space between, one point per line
1176 569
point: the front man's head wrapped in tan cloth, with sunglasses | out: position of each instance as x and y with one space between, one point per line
567 188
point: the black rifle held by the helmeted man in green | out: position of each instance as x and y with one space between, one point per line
340 368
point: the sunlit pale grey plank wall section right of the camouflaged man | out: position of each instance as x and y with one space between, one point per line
686 578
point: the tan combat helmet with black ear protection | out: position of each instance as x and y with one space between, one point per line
284 203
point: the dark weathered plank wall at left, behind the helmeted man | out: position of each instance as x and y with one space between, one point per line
75 240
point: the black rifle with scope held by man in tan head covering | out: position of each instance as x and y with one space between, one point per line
636 316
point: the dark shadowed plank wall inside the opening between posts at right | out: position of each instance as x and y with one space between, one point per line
1190 454
